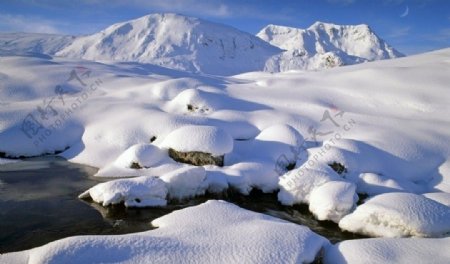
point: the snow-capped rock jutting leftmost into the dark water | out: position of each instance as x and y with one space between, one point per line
141 191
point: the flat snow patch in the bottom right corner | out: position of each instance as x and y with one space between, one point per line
392 250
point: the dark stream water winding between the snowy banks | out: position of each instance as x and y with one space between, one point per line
39 204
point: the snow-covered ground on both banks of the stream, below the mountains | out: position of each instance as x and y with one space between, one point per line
383 127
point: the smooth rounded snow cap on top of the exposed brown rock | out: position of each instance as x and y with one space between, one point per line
208 139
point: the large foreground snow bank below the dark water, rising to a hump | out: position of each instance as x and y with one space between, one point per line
213 232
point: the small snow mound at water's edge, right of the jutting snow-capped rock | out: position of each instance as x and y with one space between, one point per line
186 182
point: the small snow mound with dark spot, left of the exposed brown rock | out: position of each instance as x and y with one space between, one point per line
142 155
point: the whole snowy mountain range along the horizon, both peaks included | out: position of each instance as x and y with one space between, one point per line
195 45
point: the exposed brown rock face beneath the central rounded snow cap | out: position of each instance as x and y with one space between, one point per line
196 158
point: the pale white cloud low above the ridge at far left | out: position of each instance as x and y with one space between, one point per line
19 23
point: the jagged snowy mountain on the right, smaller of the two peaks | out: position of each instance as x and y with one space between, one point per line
324 45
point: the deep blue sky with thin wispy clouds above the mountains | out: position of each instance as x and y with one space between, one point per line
410 26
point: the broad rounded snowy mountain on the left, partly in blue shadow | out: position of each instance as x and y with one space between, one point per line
176 42
